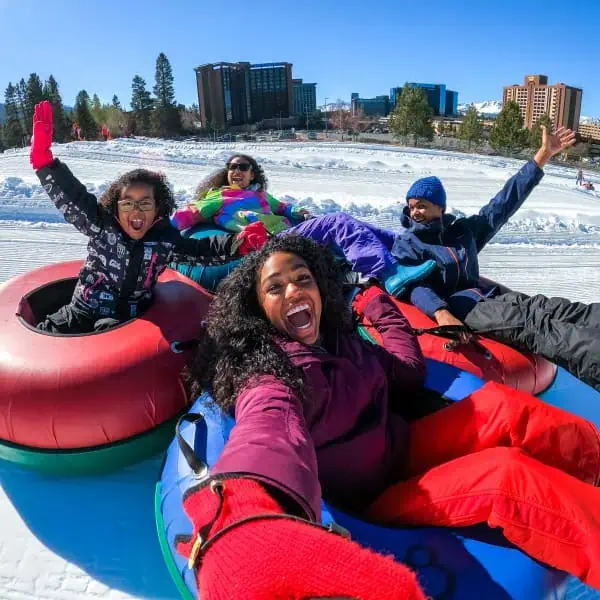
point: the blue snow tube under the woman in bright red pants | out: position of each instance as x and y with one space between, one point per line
453 564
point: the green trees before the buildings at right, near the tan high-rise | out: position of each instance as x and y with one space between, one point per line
412 116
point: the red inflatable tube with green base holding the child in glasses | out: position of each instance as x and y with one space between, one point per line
74 403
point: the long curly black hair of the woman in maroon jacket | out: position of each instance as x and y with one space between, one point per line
241 343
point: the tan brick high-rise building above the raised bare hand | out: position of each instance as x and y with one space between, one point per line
562 103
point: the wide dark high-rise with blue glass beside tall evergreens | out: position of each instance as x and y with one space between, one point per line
241 93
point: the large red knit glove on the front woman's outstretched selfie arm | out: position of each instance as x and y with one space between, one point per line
281 558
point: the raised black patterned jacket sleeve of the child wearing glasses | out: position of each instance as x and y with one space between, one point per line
77 205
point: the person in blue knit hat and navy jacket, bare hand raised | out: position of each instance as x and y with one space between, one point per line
567 333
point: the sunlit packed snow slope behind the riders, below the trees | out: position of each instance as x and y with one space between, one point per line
557 228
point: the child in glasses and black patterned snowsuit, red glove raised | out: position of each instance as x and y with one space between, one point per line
131 240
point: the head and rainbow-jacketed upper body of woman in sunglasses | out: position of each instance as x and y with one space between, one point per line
235 197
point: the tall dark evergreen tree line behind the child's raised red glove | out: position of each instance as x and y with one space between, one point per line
157 115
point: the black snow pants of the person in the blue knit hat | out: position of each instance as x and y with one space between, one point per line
567 333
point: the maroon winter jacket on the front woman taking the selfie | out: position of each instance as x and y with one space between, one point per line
344 435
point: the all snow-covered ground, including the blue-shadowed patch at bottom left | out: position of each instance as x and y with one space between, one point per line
63 539
